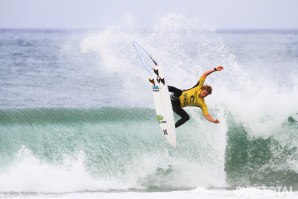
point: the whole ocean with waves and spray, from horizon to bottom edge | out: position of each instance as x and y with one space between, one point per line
77 117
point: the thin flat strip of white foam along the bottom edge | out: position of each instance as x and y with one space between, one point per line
193 194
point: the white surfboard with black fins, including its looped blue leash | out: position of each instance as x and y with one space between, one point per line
161 95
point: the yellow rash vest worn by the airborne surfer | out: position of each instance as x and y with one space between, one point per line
191 97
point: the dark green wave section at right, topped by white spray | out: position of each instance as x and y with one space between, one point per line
268 161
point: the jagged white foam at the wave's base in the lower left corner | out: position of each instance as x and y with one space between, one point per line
29 174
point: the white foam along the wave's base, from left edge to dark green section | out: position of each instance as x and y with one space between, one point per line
30 174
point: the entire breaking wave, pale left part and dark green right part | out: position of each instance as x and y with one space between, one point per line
47 149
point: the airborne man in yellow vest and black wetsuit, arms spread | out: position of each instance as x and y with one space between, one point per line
192 97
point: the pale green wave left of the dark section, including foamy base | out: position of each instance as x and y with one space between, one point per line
67 150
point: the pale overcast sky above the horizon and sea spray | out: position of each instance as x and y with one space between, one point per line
221 14
